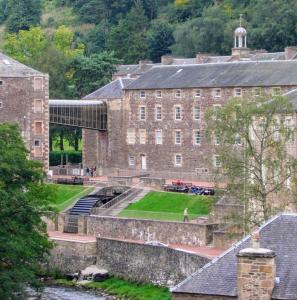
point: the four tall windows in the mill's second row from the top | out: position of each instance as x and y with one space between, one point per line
177 112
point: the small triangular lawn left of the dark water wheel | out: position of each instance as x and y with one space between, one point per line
65 195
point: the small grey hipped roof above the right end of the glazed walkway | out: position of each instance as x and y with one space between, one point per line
113 90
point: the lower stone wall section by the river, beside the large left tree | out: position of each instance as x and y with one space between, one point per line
71 256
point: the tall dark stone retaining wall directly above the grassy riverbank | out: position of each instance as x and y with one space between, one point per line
146 263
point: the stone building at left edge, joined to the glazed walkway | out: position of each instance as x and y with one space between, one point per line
24 100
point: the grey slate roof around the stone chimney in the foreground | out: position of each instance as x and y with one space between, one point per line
219 276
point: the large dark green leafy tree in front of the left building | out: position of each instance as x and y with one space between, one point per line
23 199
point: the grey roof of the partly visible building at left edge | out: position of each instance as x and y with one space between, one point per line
12 68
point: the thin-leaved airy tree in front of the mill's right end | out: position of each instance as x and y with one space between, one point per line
253 136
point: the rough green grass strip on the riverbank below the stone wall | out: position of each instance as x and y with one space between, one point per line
131 290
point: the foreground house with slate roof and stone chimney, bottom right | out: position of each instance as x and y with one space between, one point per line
256 268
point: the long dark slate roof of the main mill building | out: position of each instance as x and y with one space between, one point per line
230 74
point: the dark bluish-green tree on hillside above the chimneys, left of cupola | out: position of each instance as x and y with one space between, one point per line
160 38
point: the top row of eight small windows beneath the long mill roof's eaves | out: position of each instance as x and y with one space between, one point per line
216 92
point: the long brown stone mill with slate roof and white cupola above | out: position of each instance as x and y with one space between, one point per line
156 112
